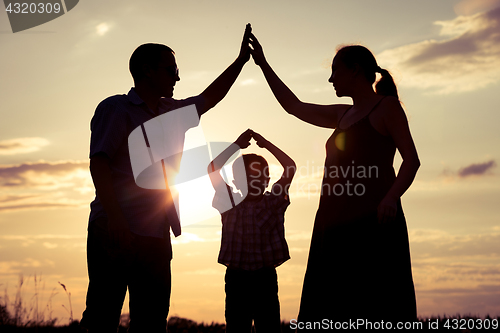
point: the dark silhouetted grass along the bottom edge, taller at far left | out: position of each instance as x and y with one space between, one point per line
35 316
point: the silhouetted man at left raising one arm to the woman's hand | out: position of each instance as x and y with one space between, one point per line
128 243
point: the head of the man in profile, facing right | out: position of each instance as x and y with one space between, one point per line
154 65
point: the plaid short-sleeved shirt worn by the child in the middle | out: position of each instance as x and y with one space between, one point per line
253 232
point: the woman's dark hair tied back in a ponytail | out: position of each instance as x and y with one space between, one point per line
359 58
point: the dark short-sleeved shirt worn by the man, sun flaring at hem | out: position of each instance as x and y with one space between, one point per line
114 119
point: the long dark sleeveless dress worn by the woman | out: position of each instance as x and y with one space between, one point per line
358 268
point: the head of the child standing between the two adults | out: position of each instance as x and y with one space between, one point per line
257 174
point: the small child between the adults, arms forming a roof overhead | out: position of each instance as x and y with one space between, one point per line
253 237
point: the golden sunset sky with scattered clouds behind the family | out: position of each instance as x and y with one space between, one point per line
444 56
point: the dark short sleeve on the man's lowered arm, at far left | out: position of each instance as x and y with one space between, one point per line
108 128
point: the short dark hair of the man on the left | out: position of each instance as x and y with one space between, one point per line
146 54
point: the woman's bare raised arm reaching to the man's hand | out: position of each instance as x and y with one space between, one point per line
319 115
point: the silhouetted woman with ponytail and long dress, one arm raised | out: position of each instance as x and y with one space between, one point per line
359 261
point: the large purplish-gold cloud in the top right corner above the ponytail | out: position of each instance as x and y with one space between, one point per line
467 59
